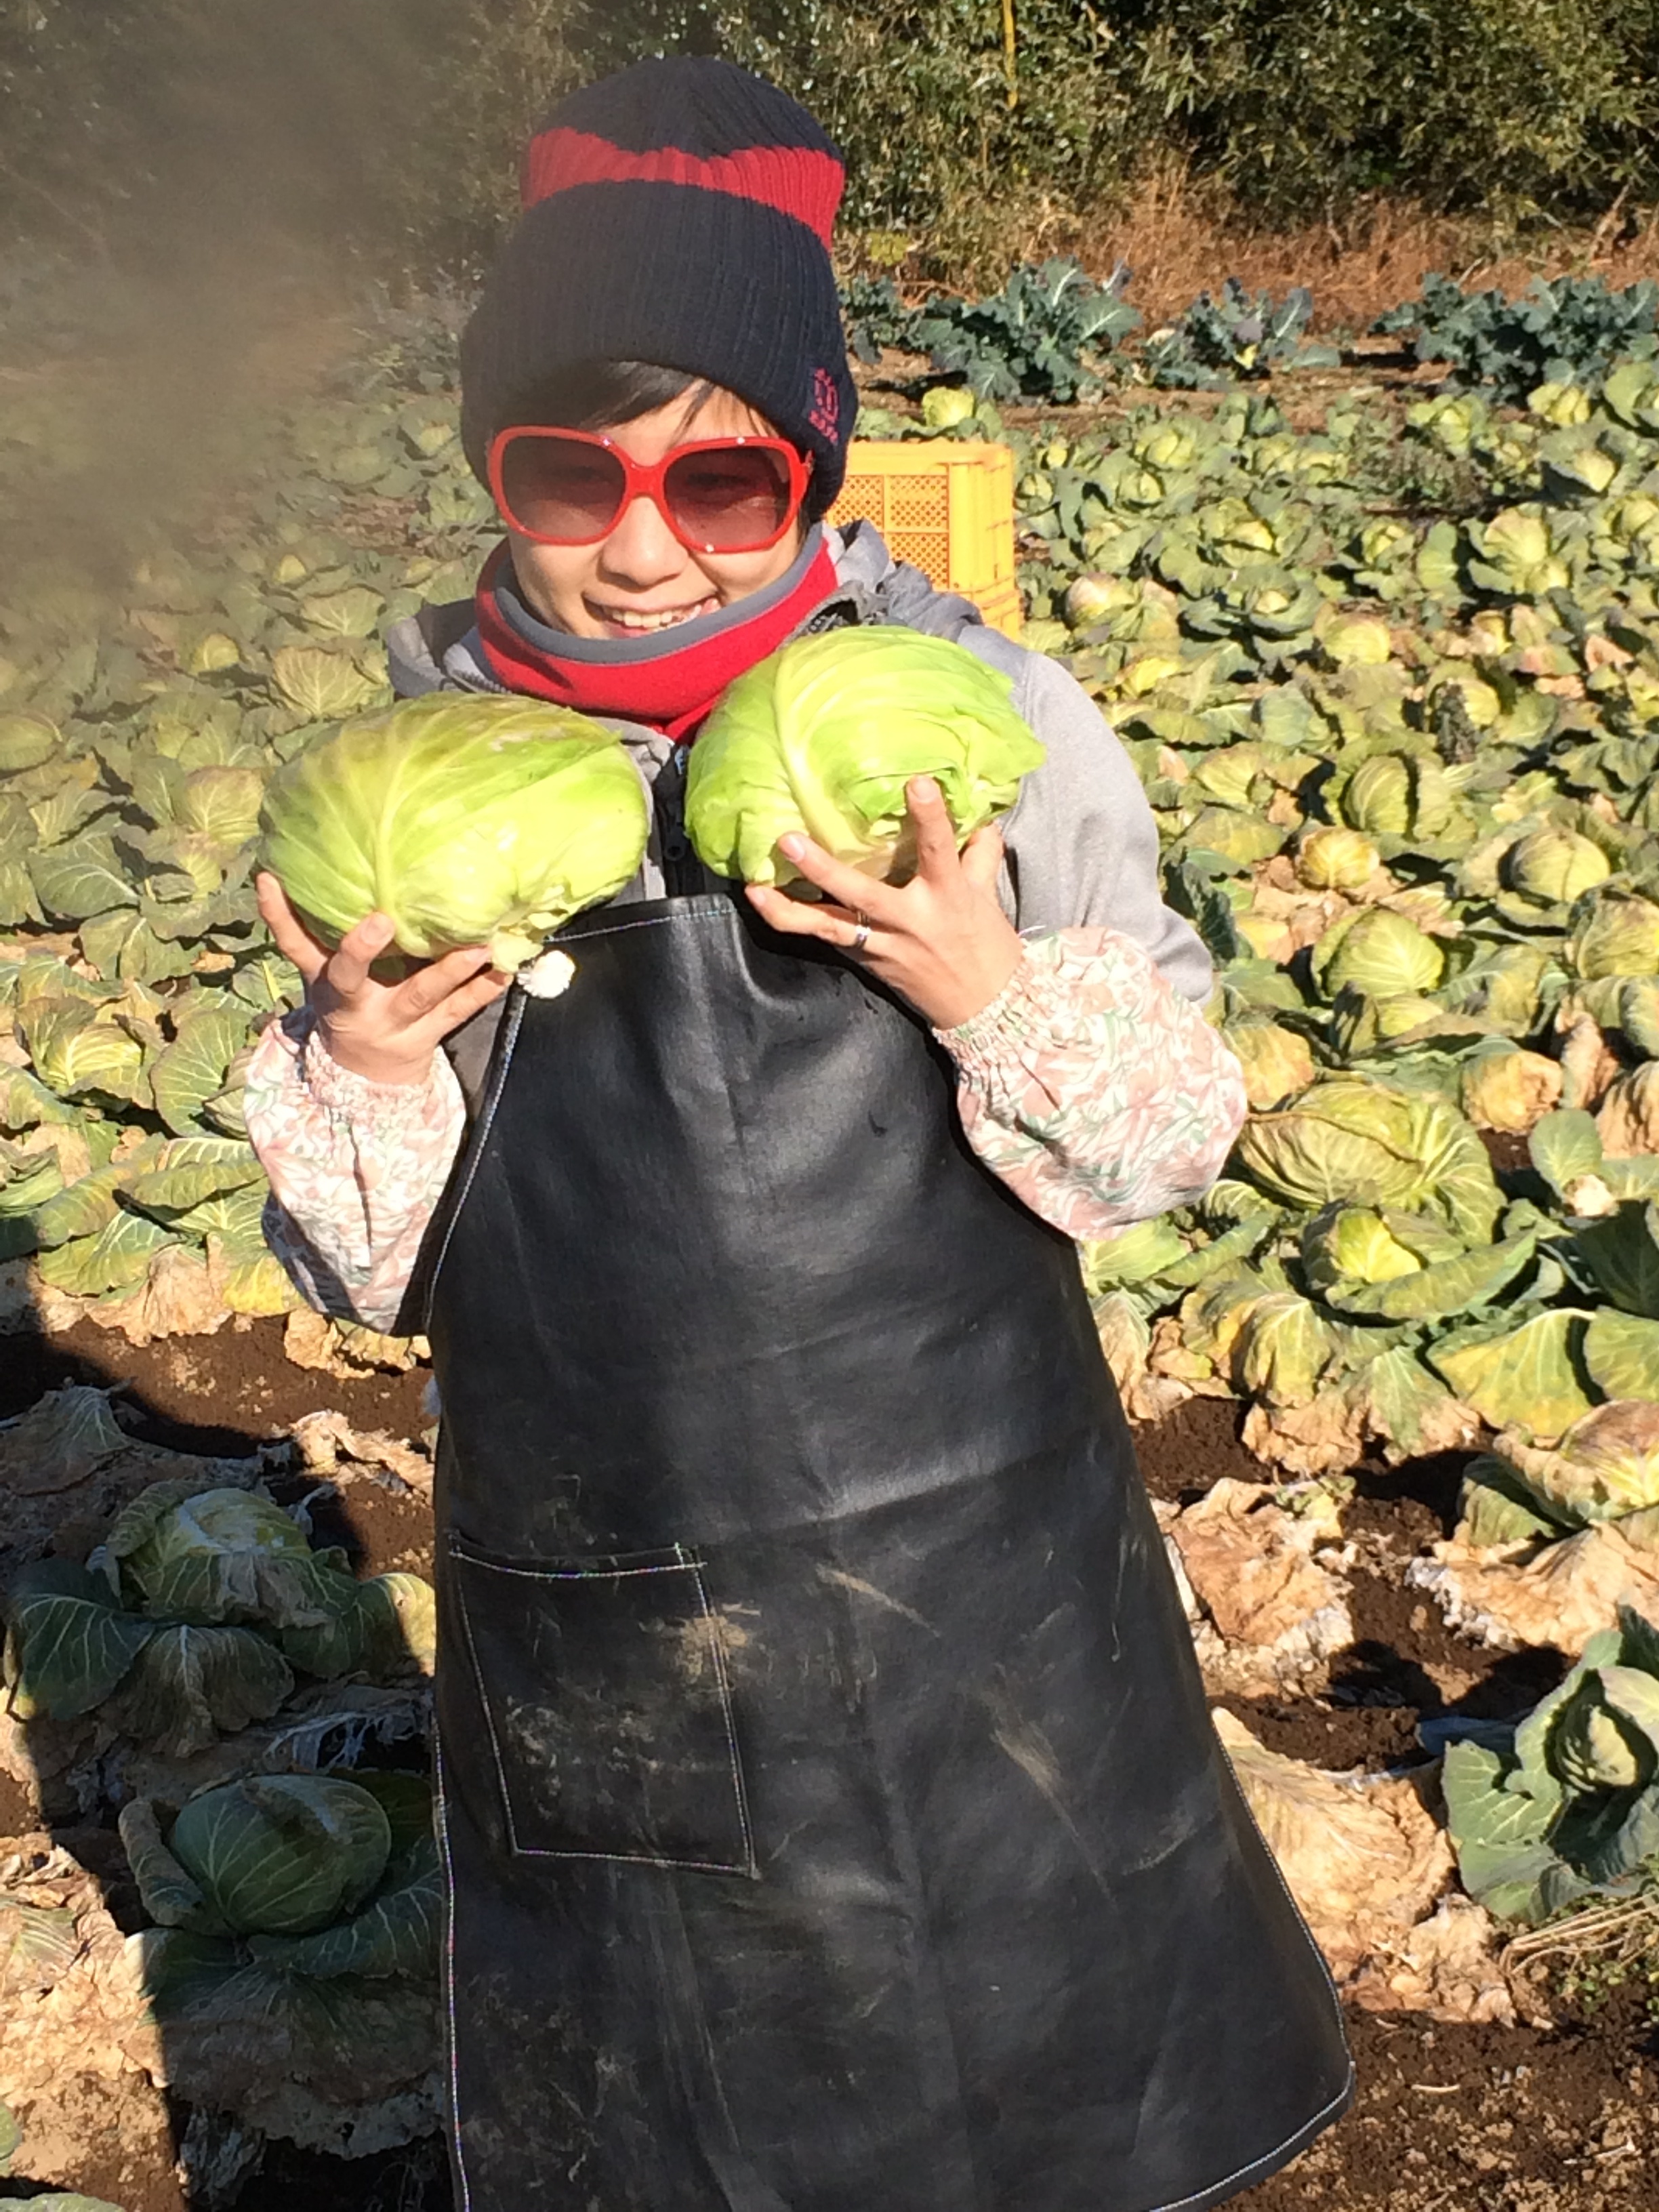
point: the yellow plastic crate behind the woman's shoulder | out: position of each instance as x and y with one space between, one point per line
948 508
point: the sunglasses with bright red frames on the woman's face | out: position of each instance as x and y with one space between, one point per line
570 488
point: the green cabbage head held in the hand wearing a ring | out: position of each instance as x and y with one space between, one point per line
824 735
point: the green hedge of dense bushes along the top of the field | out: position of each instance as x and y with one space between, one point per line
399 121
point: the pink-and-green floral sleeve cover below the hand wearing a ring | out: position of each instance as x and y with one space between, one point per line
1094 1089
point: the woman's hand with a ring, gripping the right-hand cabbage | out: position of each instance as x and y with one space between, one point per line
941 941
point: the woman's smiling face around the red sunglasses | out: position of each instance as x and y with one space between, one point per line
640 578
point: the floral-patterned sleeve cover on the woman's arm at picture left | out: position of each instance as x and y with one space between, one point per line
355 1169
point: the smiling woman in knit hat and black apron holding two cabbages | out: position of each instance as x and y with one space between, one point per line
833 1815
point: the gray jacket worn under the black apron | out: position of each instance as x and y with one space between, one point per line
1081 837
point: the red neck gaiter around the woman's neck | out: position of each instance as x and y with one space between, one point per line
671 693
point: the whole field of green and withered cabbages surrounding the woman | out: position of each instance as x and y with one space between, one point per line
1388 662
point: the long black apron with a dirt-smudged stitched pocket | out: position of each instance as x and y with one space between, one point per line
833 1813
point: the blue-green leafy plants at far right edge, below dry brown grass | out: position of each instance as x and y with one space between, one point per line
1563 333
